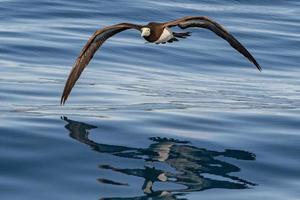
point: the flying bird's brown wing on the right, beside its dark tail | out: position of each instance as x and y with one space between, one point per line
205 22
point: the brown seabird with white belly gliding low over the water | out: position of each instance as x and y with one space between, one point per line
153 32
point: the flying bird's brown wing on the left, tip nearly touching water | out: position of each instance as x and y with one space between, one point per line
88 51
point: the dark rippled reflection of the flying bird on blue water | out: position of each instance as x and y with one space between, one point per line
194 168
